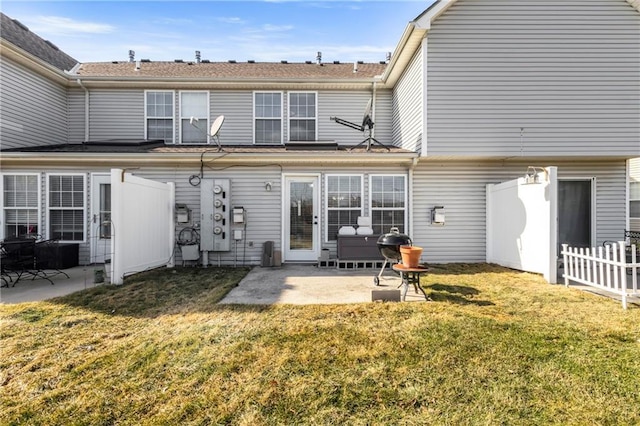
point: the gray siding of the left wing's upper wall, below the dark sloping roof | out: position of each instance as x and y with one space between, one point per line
33 110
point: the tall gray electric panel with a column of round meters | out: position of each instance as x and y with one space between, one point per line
215 202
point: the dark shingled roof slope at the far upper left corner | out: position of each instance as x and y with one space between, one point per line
16 33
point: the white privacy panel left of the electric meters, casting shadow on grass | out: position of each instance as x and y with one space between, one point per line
143 226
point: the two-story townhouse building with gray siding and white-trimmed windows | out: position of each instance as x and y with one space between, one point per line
475 92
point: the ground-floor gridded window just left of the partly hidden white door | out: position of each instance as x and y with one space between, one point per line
66 213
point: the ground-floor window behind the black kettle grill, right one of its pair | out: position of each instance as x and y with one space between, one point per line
388 201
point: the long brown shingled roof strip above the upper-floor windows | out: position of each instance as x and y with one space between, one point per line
232 70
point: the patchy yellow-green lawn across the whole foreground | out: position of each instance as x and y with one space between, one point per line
494 347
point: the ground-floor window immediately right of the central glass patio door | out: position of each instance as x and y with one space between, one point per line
344 203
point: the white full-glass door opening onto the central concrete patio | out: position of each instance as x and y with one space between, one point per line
301 218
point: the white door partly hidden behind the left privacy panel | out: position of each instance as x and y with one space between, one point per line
100 223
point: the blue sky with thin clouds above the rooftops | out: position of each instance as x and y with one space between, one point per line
264 31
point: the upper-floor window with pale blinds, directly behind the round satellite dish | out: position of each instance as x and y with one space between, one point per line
194 117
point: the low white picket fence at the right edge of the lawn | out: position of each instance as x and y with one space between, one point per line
613 268
